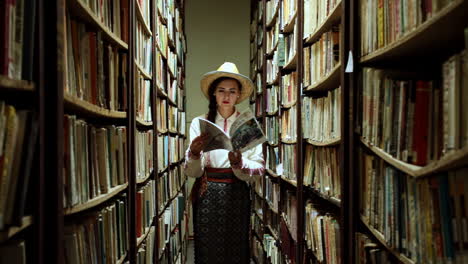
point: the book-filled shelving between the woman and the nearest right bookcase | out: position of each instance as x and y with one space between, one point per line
304 109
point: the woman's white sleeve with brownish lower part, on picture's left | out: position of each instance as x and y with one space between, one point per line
193 164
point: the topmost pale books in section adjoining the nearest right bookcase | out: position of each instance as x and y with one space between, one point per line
316 13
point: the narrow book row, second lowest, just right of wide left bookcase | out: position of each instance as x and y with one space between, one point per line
145 207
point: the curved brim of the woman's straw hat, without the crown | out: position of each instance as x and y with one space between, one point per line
210 77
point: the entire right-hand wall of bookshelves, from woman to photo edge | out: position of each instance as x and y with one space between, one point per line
383 121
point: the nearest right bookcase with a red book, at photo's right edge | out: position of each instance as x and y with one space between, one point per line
410 138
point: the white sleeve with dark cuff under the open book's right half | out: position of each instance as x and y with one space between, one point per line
252 164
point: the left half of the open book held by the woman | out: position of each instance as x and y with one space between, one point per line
218 139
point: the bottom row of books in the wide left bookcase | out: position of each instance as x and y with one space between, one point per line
100 238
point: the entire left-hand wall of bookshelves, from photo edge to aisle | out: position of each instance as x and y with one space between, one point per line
90 80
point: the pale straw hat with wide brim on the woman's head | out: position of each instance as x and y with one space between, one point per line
228 69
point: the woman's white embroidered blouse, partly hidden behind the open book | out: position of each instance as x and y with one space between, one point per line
252 160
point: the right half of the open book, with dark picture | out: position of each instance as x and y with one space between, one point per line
246 132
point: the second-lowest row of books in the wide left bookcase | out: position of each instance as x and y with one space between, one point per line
95 160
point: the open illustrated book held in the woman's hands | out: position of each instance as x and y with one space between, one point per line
245 133
